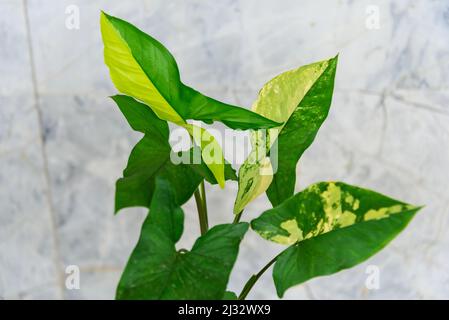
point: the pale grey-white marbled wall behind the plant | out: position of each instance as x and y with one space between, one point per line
63 143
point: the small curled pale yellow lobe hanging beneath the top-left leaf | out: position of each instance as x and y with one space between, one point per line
211 151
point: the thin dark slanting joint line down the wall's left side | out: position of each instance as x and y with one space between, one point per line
54 221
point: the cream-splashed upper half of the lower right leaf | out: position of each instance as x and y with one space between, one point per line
322 208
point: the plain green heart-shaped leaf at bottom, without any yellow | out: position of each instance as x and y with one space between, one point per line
156 270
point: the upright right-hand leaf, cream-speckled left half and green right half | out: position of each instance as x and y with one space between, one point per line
300 99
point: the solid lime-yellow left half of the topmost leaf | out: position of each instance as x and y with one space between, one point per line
129 77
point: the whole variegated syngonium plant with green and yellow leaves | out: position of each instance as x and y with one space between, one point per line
327 227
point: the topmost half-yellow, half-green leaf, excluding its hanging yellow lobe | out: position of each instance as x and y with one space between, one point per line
143 68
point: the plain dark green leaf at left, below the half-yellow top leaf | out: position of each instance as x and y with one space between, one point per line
152 157
